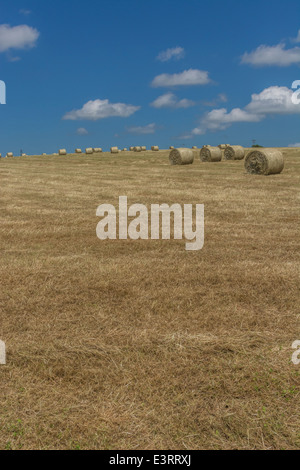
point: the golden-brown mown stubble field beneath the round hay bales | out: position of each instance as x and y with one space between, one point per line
141 344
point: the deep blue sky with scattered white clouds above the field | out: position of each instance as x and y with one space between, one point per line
137 72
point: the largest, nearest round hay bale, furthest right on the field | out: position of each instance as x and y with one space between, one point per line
264 162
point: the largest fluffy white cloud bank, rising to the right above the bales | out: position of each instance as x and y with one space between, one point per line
271 101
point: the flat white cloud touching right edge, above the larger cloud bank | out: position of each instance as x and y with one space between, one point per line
272 55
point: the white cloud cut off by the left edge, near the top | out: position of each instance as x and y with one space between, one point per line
17 37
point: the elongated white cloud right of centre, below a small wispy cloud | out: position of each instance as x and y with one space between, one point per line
188 77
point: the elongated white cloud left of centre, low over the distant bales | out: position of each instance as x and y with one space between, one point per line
100 109
